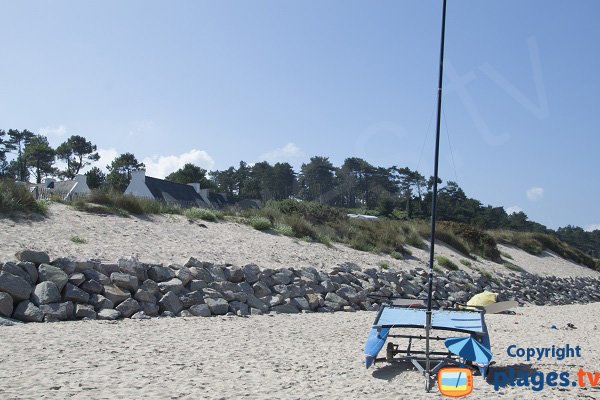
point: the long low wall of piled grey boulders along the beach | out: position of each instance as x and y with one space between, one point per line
35 289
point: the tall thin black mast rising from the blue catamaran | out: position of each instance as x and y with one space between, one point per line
434 201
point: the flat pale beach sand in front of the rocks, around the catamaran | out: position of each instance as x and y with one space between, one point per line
311 356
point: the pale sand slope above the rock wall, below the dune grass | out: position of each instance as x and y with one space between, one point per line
173 239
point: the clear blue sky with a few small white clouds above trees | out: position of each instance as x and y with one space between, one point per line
216 82
